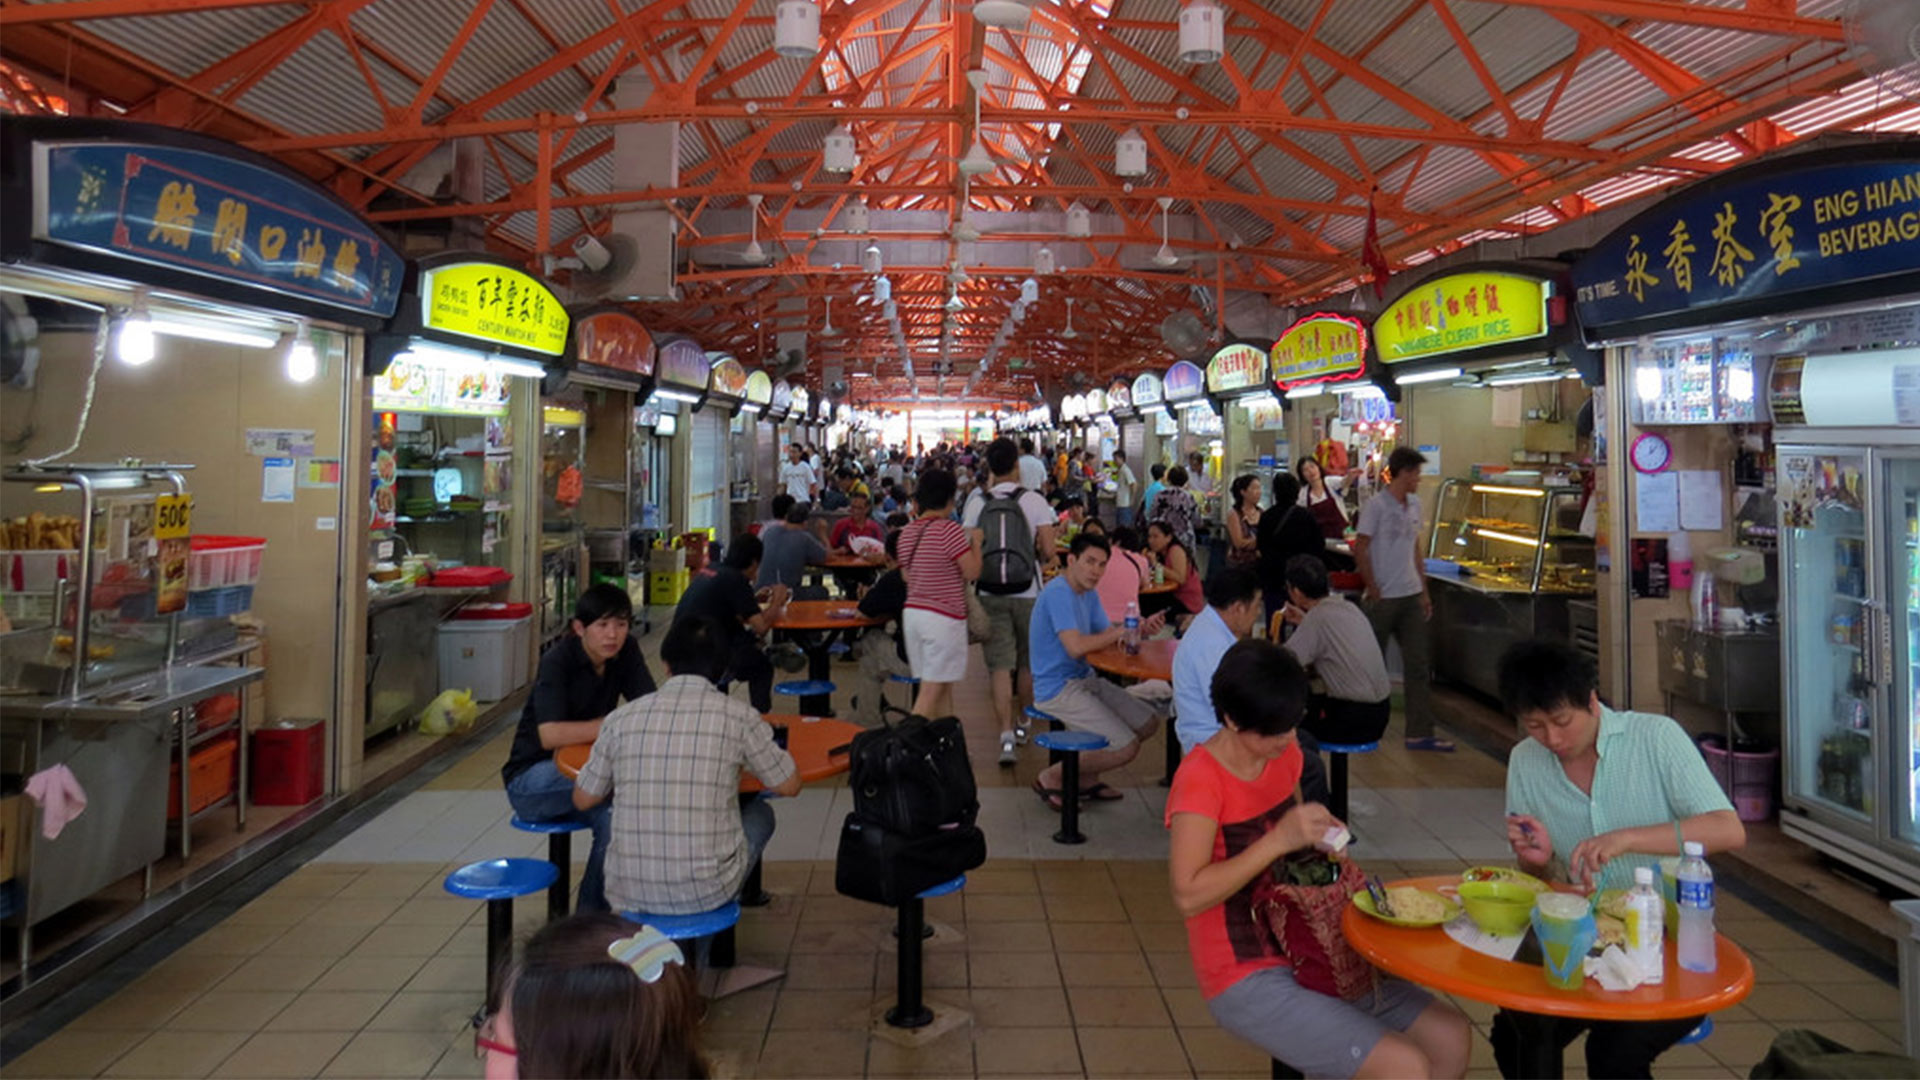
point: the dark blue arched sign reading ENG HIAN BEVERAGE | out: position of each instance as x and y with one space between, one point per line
1771 237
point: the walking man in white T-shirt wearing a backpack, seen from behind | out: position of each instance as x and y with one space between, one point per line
1003 564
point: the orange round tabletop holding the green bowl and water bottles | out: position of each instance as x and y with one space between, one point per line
1437 962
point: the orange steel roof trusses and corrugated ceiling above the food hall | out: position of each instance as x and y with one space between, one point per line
1272 157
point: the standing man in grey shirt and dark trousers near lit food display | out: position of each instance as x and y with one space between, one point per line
1389 552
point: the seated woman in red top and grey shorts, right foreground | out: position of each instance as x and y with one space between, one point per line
1234 812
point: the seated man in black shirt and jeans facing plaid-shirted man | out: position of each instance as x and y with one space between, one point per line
581 679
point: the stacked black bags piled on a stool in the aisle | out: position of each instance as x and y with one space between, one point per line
913 812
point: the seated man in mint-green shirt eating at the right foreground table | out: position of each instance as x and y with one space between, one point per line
1595 793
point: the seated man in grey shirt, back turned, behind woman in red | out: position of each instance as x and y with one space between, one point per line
1337 641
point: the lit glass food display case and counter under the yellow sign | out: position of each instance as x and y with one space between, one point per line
1504 564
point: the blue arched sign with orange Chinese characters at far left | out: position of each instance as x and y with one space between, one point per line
214 216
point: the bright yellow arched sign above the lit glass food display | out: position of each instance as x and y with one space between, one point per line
1460 312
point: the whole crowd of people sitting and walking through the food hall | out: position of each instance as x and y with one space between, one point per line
1007 549
